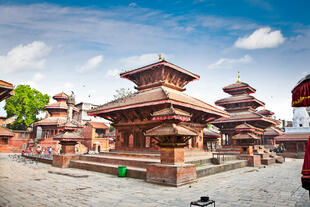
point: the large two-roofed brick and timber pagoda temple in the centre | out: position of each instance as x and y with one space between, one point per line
159 85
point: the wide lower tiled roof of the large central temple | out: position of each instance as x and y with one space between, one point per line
156 96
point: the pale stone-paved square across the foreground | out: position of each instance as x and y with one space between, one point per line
27 183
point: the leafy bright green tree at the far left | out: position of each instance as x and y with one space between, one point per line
26 104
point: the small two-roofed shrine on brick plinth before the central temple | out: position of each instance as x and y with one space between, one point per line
171 137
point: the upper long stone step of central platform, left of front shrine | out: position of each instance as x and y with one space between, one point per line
123 161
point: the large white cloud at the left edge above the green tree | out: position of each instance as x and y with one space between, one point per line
24 57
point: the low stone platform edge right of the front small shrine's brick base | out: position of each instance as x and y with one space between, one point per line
213 169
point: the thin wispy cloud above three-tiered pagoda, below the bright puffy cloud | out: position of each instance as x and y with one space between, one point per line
229 63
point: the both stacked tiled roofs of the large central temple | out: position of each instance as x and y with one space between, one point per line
158 84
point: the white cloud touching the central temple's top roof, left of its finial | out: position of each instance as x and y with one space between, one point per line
137 61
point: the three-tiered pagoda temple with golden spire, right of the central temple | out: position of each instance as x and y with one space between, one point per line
243 110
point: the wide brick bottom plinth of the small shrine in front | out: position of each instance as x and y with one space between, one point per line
171 175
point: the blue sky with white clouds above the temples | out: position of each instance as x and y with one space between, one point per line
82 45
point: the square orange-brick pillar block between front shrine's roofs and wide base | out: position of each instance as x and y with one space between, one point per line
172 155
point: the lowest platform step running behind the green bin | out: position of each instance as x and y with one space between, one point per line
132 172
